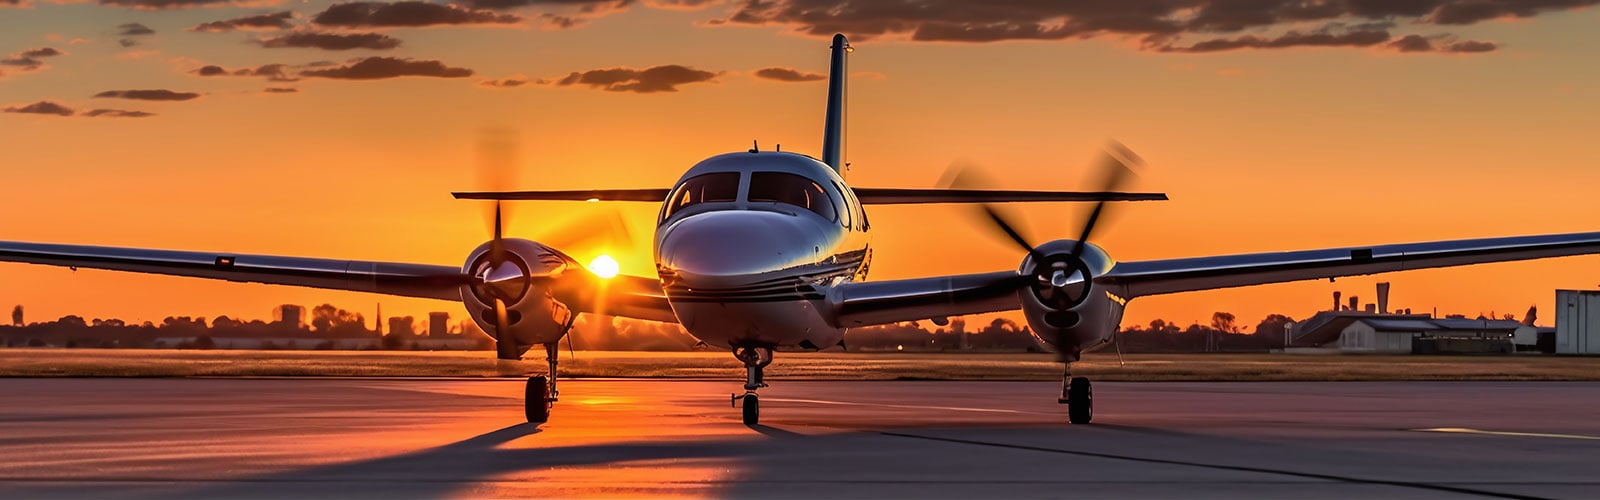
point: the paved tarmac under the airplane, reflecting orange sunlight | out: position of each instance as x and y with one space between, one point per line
628 438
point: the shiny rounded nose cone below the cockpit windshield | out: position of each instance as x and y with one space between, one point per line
732 249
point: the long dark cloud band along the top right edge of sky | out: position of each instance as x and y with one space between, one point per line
1158 25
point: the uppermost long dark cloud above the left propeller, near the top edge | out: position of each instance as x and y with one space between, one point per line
407 15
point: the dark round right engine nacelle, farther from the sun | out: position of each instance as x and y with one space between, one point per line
1063 305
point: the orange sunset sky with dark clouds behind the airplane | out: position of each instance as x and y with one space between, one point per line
337 131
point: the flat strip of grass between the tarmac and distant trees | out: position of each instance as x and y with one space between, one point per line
794 366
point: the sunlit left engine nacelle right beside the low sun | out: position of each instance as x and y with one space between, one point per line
532 312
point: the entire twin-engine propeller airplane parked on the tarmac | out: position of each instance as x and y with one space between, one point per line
759 251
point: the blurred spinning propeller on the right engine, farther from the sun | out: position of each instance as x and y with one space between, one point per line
1058 283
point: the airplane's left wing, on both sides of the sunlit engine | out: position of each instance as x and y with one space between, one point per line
623 296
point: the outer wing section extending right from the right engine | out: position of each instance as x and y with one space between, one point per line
1206 273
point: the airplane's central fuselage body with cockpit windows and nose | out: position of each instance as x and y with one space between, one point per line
750 243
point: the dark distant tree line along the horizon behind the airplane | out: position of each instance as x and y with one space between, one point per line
591 333
